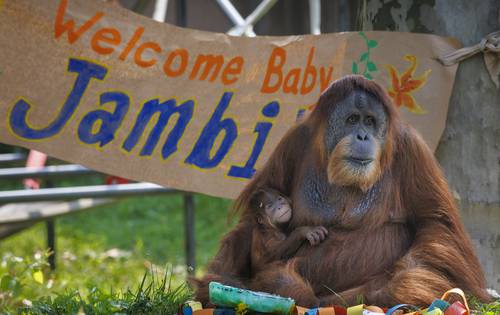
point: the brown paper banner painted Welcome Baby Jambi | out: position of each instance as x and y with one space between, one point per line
92 83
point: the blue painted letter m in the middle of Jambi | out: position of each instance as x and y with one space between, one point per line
166 110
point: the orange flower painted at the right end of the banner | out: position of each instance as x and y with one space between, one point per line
403 86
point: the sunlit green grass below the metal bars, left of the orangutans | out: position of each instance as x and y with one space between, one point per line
106 251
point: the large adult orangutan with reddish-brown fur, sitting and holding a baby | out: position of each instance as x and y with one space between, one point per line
354 167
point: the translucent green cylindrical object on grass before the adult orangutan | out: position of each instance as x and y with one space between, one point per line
227 296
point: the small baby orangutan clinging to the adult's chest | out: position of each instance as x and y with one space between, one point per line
269 241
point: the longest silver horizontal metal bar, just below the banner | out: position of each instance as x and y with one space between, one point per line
97 191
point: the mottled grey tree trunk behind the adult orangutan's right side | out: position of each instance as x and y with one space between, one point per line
469 151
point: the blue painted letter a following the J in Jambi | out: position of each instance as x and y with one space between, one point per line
110 122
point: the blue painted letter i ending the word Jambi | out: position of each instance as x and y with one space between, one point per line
262 129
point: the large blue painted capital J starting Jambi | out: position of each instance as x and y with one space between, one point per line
86 71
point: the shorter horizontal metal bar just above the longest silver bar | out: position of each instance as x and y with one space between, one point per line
43 172
